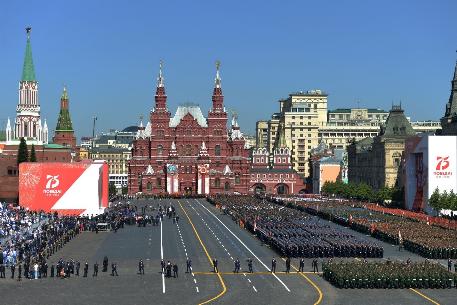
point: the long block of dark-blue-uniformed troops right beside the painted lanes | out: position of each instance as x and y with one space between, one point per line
293 233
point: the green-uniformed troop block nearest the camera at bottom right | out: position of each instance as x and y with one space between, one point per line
388 274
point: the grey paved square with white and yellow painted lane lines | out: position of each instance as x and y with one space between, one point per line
202 234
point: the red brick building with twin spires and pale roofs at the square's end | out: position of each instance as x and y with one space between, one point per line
188 154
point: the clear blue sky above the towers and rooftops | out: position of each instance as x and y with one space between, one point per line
367 53
